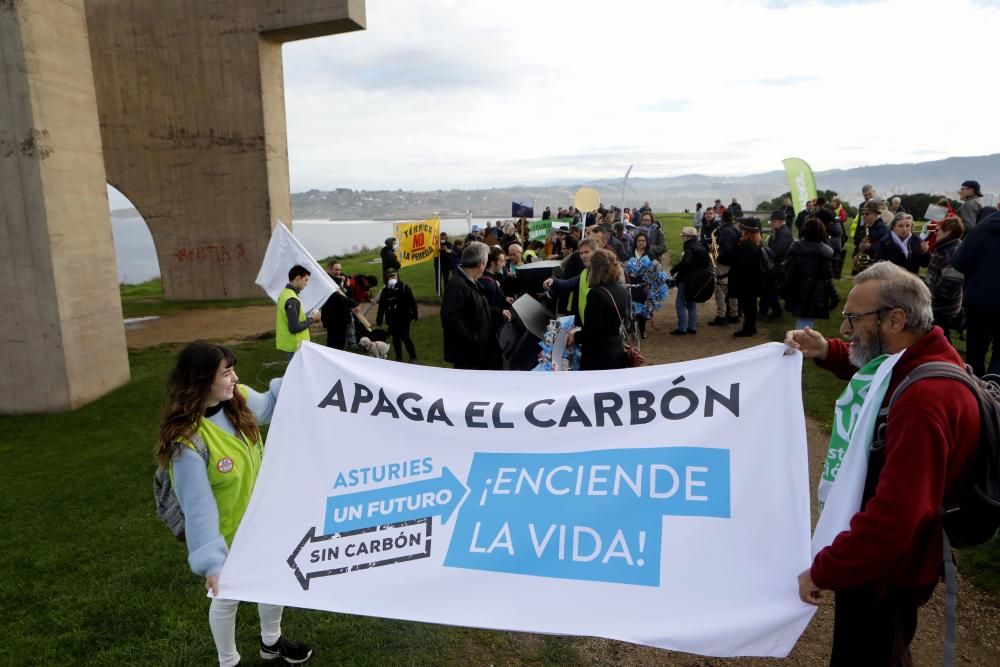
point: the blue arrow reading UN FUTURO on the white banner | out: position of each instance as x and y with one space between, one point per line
392 504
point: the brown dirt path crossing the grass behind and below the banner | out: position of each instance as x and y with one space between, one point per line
978 614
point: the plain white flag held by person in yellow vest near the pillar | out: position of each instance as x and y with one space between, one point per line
283 252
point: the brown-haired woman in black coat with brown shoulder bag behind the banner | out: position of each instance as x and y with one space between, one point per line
608 303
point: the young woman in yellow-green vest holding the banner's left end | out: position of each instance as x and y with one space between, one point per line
208 412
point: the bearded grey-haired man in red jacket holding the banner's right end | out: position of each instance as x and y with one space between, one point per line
886 565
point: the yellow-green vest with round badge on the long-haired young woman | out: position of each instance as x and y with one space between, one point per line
233 464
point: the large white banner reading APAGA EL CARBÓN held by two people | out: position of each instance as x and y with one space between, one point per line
665 505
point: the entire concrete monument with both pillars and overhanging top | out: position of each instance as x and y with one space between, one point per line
180 105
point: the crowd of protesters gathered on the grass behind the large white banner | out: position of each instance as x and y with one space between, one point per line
762 269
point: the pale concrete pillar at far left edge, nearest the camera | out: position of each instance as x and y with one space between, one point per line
62 342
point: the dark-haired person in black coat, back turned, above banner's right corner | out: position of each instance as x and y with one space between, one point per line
808 271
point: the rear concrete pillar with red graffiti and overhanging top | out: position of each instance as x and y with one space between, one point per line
192 115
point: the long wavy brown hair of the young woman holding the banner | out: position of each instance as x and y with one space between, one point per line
187 390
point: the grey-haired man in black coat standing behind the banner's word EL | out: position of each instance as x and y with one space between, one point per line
469 323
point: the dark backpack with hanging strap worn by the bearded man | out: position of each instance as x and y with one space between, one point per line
974 518
